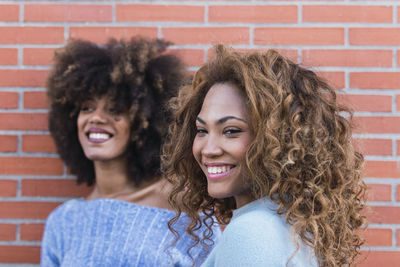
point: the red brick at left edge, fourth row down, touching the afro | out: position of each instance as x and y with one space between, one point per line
23 78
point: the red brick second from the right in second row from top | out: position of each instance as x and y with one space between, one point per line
299 36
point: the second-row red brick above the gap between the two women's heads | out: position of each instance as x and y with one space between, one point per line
207 35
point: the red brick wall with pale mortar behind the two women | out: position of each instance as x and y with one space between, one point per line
355 44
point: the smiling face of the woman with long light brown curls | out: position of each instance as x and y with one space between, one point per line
223 137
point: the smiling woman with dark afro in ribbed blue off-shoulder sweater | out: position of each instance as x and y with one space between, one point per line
108 121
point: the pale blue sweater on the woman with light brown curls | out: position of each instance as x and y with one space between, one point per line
257 236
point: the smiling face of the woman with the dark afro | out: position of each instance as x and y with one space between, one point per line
103 133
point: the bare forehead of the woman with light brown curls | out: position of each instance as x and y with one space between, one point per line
223 99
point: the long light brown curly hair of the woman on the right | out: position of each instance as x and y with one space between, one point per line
302 156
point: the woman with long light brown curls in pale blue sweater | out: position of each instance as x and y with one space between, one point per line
262 144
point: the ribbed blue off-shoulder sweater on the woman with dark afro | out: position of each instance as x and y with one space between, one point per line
109 232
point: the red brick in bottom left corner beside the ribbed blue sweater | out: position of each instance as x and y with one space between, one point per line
19 254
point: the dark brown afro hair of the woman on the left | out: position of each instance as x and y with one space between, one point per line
136 76
